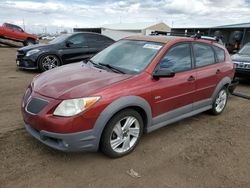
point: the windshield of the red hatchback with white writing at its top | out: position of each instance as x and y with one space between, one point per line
130 57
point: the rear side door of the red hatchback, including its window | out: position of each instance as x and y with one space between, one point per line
206 73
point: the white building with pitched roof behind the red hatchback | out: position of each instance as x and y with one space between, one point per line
121 30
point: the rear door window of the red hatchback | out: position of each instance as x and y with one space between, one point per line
203 54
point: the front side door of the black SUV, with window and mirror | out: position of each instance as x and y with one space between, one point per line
75 49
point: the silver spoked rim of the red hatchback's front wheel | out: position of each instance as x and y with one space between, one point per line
125 134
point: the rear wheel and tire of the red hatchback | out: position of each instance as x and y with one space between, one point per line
220 102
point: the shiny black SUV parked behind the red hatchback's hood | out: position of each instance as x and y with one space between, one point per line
65 49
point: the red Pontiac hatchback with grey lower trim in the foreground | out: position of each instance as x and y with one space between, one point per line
135 86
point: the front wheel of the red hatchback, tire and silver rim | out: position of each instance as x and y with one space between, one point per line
118 142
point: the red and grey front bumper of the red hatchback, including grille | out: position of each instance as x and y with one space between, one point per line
66 134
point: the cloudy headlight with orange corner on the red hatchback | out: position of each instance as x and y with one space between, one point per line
73 107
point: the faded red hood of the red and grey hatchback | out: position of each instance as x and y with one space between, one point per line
74 81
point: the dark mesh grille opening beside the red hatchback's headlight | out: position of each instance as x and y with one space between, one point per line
36 105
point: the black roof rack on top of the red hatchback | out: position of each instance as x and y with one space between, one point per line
190 34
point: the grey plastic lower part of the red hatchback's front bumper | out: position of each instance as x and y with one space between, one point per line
71 142
